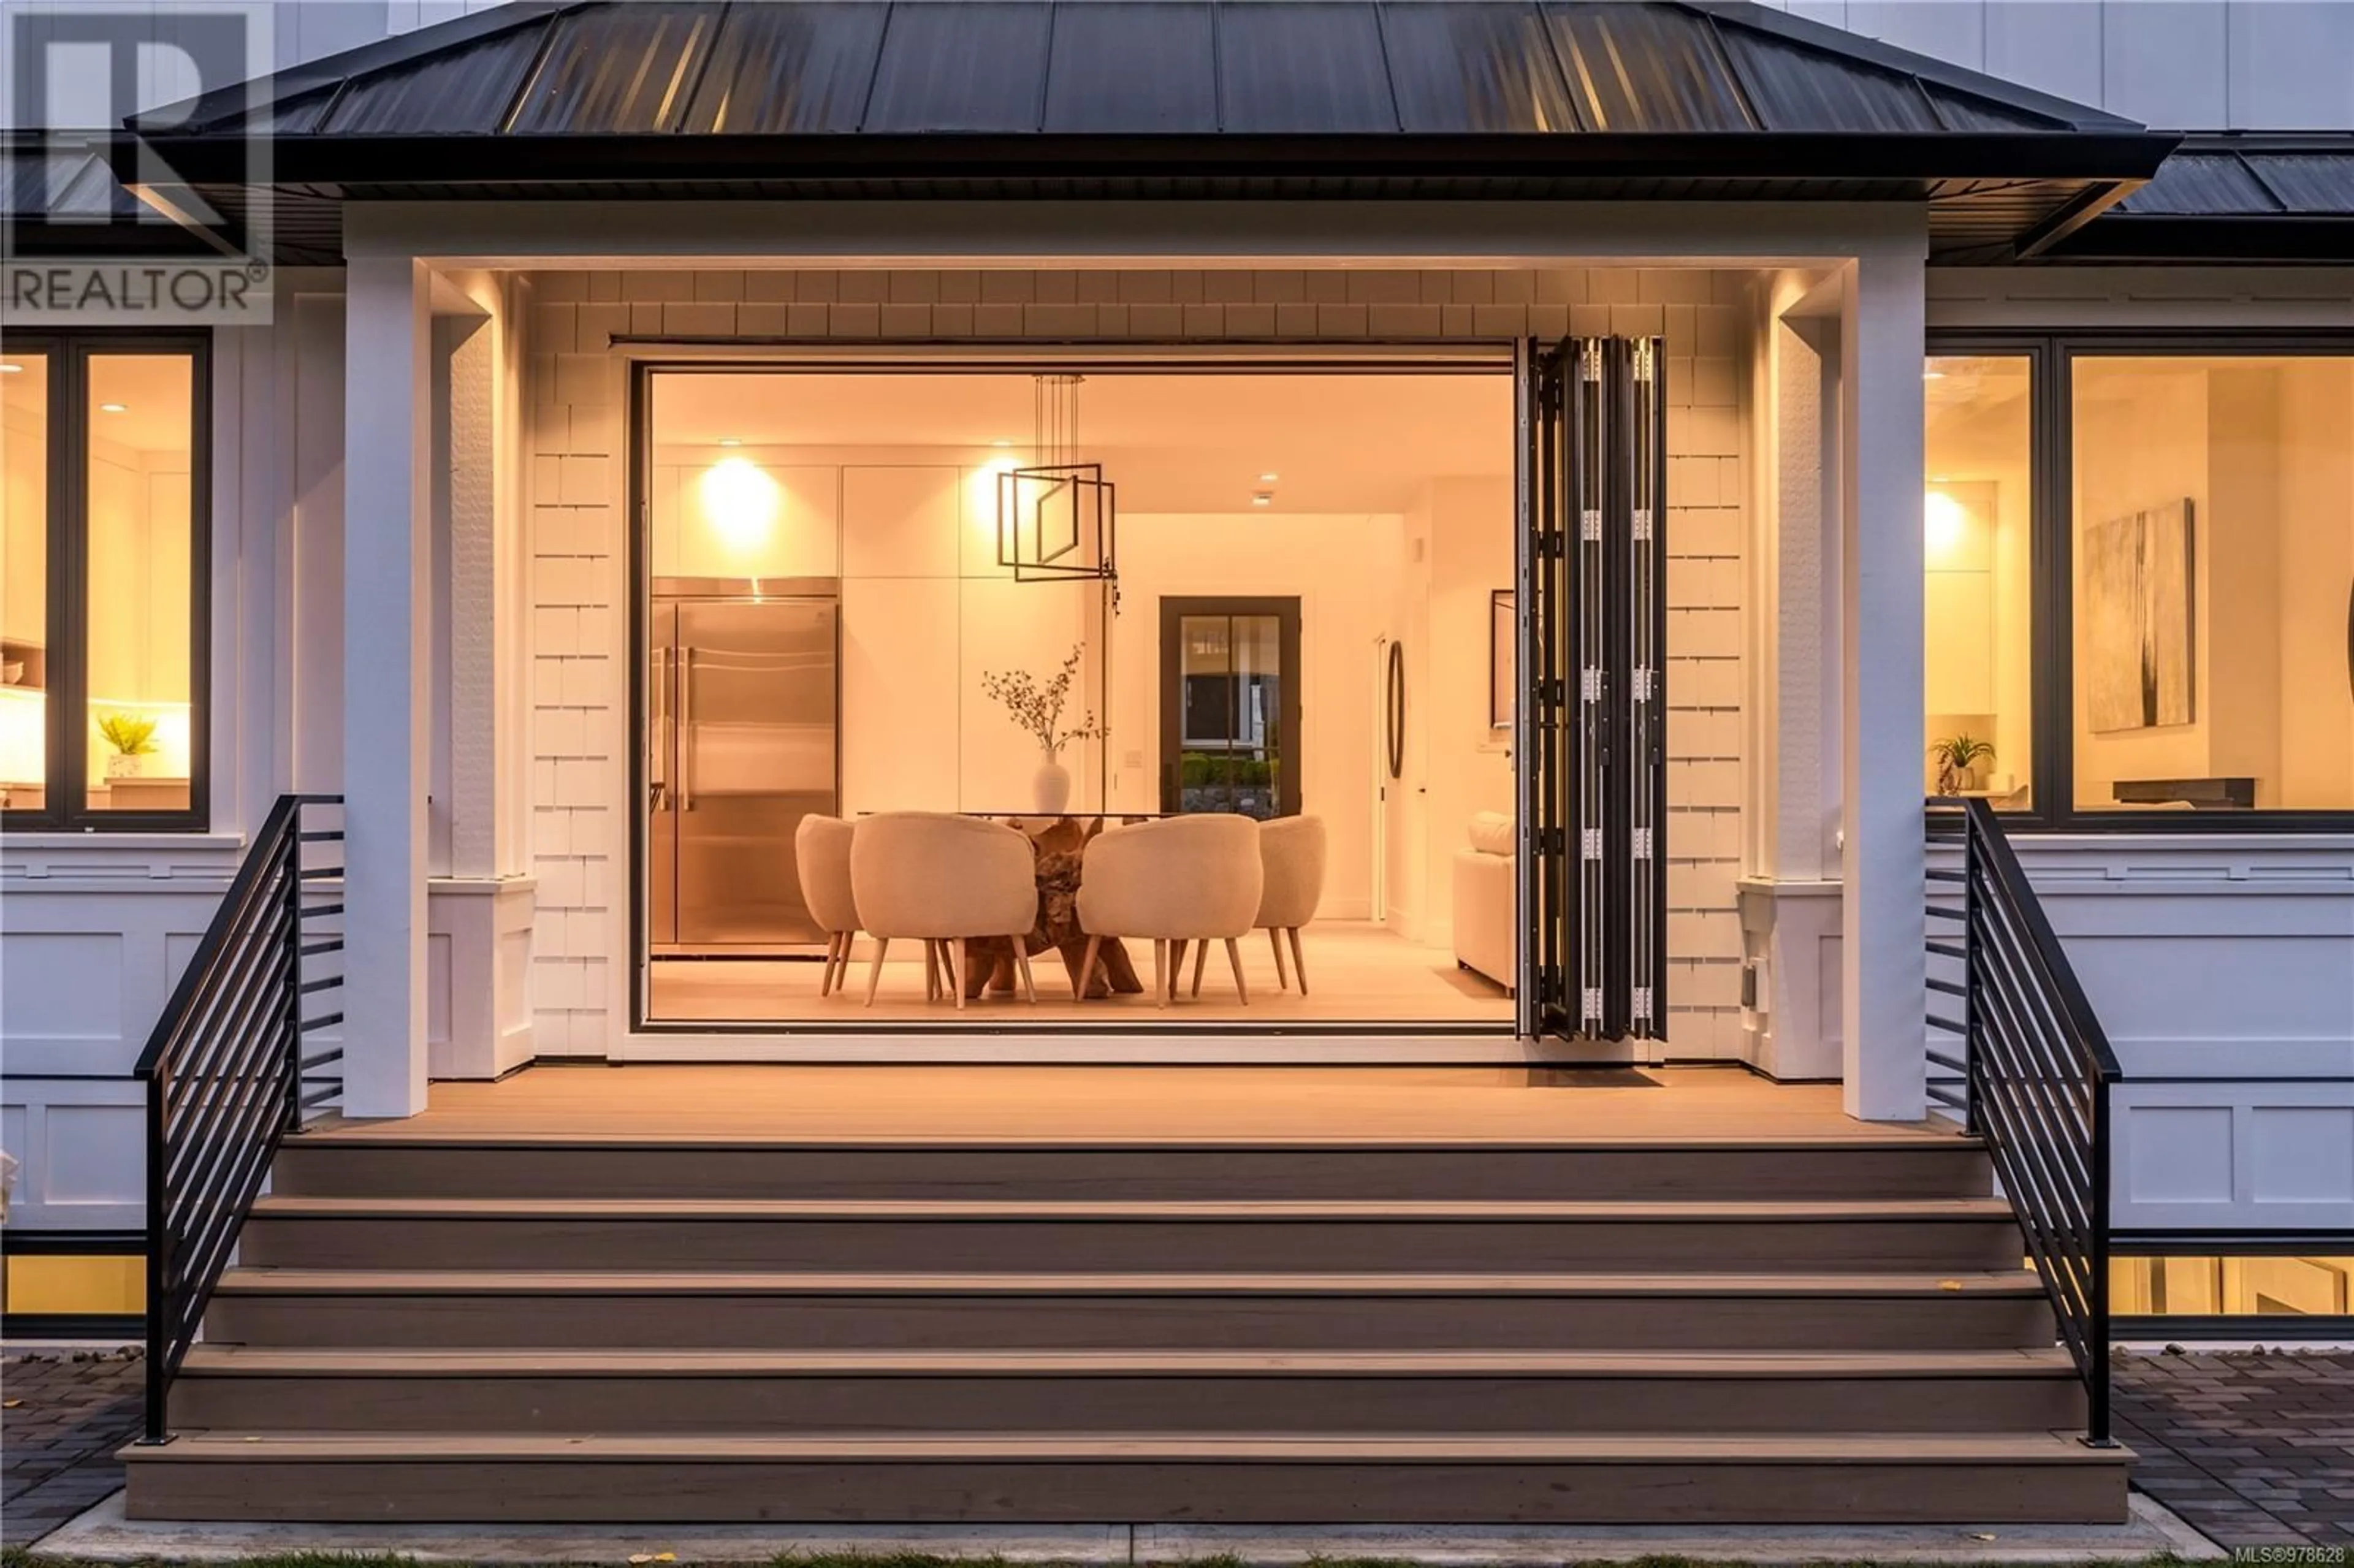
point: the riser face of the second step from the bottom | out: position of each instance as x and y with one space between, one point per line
1204 1404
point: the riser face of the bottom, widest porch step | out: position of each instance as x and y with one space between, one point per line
1268 1491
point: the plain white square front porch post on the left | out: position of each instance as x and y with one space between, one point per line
387 672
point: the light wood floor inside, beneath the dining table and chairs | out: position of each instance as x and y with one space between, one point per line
1359 974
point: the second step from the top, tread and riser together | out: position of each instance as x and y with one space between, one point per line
851 1235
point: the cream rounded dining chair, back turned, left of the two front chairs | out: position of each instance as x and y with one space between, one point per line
943 879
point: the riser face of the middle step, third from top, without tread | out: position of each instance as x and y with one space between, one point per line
1129 1322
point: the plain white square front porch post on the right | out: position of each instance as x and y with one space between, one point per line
1882 705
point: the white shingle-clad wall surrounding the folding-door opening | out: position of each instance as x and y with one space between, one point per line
580 696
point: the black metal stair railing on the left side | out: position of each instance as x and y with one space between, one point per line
227 1070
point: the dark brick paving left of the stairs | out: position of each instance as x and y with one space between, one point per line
62 1418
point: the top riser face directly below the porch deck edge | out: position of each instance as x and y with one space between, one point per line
357 1171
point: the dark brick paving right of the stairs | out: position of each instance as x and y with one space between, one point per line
2247 1447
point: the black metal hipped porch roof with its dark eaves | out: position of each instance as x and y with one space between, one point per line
1494 100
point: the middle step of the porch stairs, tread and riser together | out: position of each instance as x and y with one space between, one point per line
1148 1310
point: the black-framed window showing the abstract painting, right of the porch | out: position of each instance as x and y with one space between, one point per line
2179 653
